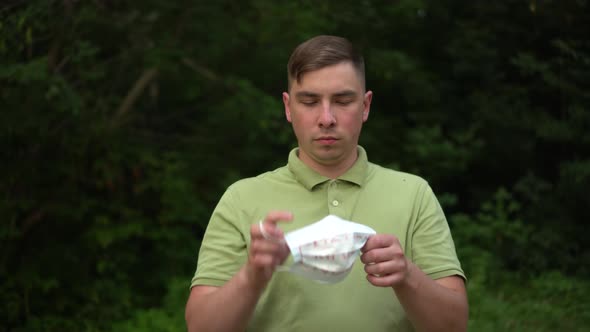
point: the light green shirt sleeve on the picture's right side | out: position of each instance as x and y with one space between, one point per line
433 249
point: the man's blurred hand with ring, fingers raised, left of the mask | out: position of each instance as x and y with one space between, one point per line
268 248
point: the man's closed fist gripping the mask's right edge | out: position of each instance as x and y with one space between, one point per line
385 262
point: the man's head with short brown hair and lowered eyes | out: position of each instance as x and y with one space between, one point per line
327 103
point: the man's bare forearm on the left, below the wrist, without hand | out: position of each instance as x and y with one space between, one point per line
227 308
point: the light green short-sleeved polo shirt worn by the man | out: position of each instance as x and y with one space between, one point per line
390 202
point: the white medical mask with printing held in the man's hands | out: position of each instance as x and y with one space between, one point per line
326 250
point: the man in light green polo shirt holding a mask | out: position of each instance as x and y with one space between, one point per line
408 277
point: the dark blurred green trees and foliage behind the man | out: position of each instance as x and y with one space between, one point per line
122 123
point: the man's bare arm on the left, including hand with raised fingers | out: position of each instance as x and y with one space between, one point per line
229 307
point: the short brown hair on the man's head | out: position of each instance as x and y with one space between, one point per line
323 51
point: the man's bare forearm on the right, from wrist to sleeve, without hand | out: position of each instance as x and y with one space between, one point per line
431 306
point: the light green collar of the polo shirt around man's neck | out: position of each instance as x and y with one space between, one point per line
310 178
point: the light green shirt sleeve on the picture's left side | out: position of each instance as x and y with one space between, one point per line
224 247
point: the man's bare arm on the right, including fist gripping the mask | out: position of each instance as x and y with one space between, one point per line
431 305
